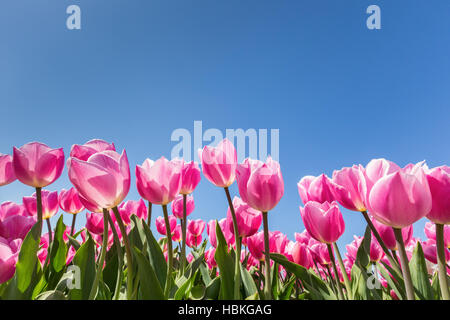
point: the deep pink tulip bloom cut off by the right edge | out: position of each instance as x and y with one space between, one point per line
439 182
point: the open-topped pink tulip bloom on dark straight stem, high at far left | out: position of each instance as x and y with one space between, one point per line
37 165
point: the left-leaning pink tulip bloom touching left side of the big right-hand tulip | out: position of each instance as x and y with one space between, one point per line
347 188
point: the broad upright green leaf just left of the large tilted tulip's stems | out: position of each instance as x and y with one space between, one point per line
85 260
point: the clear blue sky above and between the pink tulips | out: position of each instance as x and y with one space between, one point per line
340 94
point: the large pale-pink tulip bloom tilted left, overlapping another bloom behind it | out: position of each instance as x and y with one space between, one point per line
103 180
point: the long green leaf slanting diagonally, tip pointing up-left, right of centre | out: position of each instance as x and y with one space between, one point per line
318 289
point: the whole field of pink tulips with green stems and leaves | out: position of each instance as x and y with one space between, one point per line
116 256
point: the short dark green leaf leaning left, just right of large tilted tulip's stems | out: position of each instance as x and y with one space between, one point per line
149 284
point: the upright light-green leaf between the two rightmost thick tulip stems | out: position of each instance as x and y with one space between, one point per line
419 275
